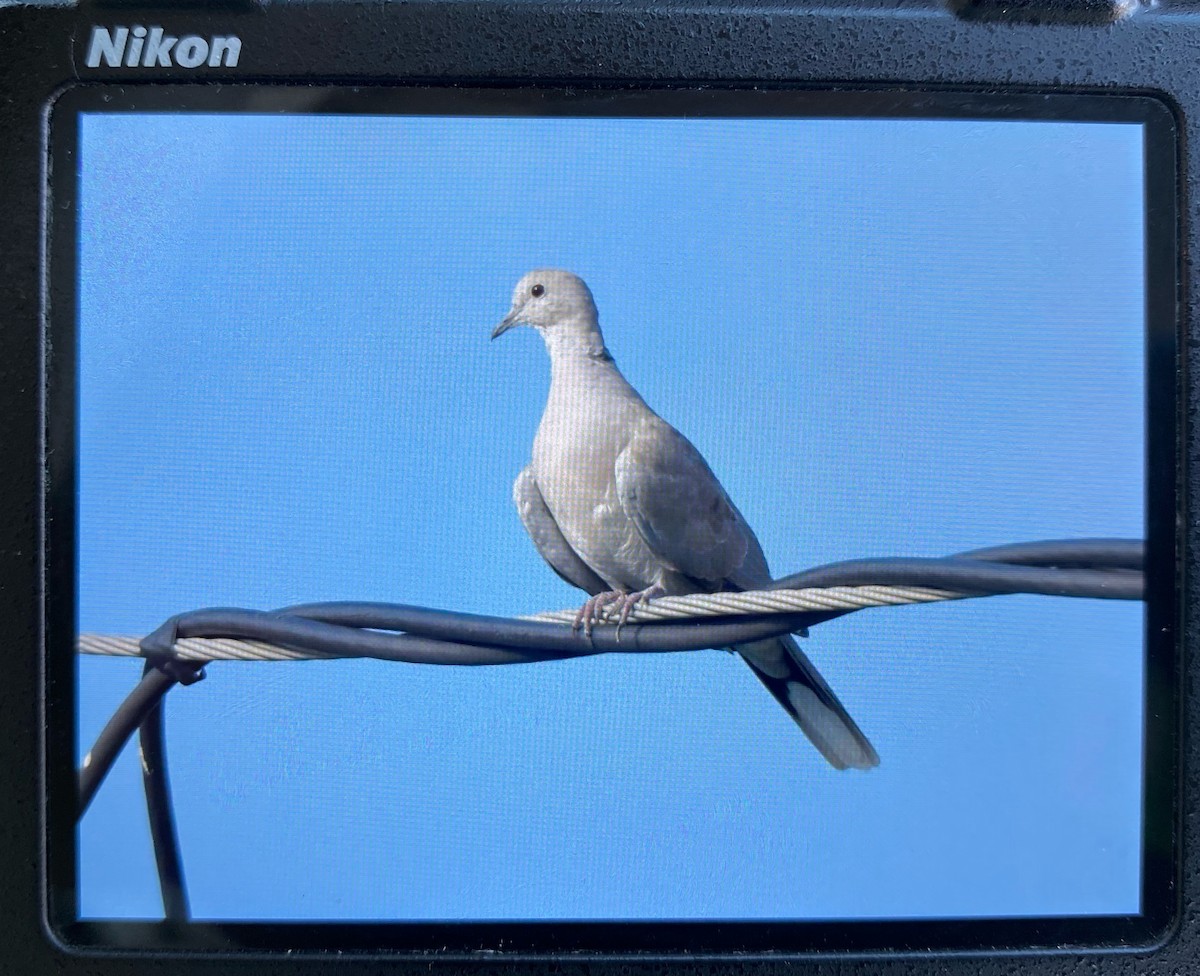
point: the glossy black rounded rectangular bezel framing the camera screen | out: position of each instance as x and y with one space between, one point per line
645 939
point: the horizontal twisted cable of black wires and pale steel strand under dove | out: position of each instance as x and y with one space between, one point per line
1097 568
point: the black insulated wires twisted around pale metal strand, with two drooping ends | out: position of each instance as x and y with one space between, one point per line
1089 568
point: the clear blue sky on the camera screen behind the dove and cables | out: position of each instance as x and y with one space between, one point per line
886 337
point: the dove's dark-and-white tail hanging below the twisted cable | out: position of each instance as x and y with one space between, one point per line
799 686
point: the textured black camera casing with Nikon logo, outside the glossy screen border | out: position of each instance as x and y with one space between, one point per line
909 51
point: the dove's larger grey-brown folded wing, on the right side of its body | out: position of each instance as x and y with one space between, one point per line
679 507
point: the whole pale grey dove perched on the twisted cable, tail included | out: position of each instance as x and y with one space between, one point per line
622 506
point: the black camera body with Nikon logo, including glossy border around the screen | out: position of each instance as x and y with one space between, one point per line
925 58
